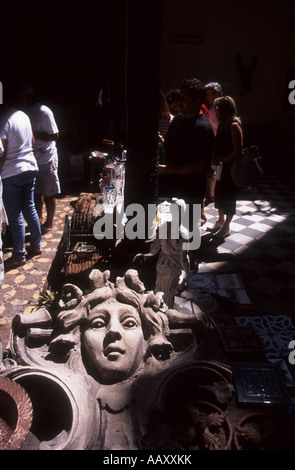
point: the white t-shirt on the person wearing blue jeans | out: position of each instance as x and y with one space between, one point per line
15 127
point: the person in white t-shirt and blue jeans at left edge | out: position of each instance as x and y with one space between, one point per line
18 171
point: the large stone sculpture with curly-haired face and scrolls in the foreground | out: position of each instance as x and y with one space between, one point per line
105 362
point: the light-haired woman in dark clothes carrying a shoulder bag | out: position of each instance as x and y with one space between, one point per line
229 145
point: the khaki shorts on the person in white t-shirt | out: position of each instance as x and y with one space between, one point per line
47 181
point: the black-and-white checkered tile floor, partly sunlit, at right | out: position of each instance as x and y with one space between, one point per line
261 247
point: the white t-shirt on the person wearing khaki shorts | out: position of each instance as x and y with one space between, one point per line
42 120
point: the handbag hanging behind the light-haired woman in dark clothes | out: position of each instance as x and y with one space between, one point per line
246 169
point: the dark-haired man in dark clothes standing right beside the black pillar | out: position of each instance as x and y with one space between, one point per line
189 144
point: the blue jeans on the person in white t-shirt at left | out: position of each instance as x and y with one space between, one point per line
18 199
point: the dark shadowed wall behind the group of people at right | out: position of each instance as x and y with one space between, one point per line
254 29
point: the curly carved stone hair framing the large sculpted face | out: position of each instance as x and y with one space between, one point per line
128 290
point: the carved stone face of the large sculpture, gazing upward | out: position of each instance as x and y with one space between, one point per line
112 341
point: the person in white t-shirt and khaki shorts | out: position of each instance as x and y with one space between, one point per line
47 187
